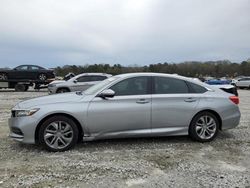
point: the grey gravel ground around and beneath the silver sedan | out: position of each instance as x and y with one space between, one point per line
147 162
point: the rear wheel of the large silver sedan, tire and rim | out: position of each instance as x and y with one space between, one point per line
201 132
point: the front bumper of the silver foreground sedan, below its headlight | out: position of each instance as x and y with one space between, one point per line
23 129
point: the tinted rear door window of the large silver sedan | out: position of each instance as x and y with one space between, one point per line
164 85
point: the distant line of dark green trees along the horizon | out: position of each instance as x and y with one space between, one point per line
191 69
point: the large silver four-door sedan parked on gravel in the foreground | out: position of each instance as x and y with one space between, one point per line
128 105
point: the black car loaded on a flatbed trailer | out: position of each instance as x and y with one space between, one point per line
26 72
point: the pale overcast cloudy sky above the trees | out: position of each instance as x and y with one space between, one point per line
54 33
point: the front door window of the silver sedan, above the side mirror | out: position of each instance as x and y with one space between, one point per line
131 86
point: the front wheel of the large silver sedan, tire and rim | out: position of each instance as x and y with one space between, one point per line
58 133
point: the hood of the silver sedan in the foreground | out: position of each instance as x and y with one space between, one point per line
51 99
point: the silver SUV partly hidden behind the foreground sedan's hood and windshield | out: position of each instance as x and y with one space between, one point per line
80 82
